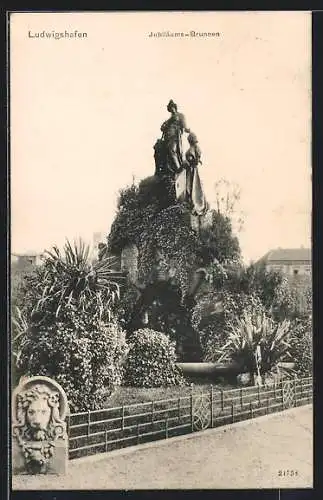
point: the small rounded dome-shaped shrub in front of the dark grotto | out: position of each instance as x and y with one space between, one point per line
151 360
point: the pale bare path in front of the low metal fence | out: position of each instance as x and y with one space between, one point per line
245 455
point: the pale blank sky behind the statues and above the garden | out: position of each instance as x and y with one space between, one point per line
86 112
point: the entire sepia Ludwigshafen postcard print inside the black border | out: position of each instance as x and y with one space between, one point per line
161 250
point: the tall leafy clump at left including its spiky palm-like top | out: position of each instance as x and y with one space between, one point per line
64 329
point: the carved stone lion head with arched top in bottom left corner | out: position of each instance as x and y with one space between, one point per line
39 430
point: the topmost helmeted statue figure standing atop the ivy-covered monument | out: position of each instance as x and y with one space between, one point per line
172 130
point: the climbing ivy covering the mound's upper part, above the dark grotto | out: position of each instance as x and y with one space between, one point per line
149 217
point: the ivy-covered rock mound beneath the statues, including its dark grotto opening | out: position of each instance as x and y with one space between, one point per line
170 252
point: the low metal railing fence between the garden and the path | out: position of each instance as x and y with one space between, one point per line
113 428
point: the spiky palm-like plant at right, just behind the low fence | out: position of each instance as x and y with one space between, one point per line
253 330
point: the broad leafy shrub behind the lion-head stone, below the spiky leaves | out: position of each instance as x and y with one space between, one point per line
82 353
